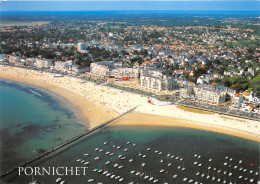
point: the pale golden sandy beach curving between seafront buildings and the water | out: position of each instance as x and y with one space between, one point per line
99 103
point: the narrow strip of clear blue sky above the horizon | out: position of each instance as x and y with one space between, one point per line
182 5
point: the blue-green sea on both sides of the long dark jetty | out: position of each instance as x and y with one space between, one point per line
32 118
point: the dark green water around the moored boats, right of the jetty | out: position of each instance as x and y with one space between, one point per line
179 142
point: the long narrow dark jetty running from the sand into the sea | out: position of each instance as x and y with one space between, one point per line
67 142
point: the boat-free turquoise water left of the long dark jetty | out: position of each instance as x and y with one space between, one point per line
31 119
